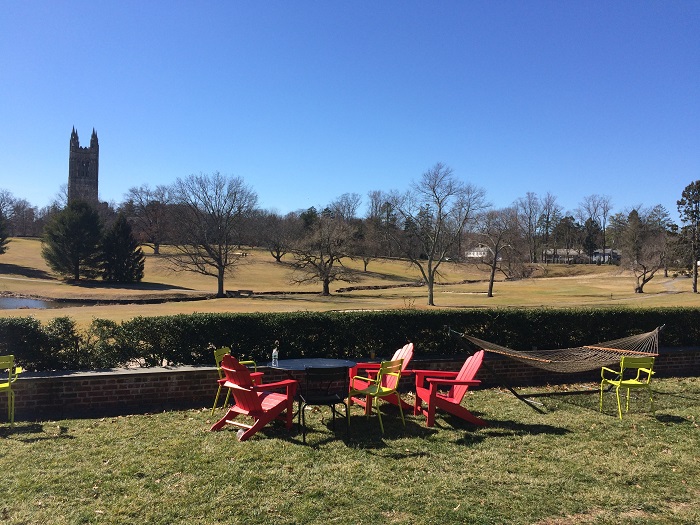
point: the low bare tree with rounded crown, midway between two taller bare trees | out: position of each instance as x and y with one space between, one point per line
318 255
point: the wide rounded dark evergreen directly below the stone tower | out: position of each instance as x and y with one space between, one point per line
71 241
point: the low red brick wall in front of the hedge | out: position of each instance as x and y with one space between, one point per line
56 396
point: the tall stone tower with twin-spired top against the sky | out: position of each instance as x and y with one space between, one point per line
83 169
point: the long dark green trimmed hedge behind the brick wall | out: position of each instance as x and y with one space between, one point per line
188 339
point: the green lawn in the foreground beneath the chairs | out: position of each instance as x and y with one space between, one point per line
571 465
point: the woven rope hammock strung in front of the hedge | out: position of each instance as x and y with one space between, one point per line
581 358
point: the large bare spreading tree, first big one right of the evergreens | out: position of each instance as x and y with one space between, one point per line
209 213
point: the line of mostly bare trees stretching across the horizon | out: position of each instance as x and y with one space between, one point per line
207 219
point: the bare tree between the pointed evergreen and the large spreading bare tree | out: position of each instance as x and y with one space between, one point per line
149 212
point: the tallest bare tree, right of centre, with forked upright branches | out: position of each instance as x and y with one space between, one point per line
436 212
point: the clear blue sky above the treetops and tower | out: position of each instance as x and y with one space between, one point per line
308 100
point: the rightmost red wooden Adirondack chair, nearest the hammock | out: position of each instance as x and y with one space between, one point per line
458 382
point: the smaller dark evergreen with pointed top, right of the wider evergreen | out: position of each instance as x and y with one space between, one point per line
122 257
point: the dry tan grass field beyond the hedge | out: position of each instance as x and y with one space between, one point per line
24 272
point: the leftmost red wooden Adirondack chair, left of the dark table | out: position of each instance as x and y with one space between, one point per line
254 400
